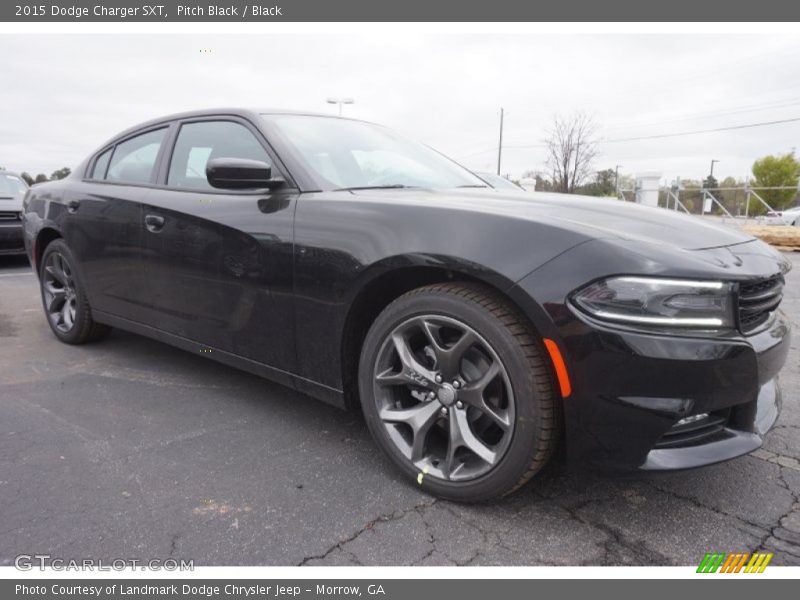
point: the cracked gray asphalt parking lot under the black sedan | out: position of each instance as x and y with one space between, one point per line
129 448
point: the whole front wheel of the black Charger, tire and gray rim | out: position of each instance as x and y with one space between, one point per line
496 389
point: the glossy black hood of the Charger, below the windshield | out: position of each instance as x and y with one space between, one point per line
596 218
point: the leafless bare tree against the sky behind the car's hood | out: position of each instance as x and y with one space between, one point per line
571 150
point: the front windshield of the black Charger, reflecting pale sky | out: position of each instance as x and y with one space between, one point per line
343 154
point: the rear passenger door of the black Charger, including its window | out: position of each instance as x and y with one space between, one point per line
103 222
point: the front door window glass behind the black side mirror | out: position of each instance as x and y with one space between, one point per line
198 143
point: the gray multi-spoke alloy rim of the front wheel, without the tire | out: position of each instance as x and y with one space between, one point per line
444 397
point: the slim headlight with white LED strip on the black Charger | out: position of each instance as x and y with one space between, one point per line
659 303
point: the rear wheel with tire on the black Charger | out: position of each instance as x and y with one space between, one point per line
64 297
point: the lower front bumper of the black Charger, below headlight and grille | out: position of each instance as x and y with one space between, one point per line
633 389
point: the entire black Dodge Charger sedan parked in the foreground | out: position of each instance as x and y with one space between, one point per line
478 330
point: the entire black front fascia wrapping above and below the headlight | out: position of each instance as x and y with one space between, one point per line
632 390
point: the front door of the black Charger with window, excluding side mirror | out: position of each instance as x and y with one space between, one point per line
219 263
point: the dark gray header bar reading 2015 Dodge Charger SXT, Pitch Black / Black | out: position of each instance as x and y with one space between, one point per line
401 11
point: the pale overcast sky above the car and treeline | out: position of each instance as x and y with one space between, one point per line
62 96
